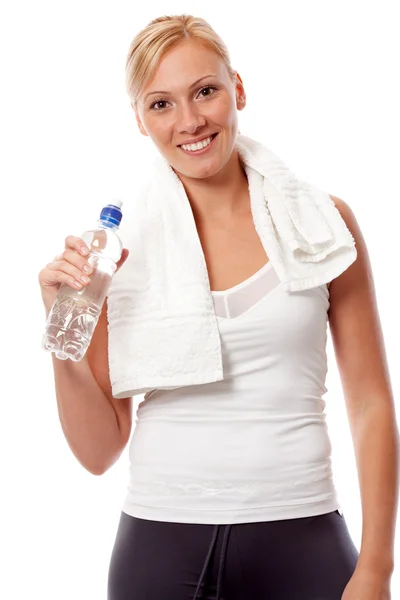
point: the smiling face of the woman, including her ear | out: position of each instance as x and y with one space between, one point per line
192 97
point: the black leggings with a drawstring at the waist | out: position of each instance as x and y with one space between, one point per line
308 558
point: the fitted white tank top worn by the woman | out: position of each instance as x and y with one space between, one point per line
254 446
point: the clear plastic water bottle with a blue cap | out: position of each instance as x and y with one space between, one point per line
74 314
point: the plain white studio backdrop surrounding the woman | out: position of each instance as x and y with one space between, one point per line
322 93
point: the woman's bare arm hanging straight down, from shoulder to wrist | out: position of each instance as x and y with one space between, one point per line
360 353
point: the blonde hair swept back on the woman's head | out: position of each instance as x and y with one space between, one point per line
150 45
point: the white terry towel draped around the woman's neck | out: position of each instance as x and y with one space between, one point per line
163 331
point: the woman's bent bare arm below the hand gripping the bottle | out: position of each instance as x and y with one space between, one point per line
96 425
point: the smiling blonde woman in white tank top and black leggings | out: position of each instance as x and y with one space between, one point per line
217 542
